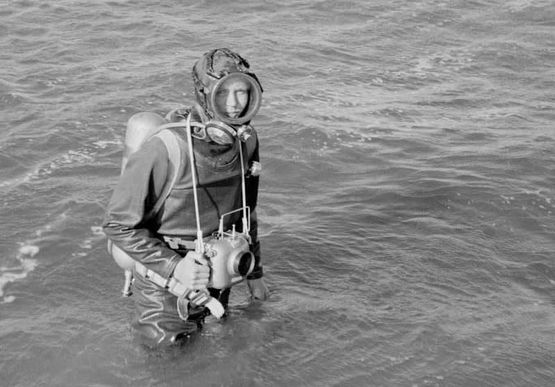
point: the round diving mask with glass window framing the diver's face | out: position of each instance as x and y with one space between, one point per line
235 98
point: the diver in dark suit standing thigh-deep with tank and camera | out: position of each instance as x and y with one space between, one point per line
183 214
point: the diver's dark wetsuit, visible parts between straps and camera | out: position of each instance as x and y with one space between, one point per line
131 226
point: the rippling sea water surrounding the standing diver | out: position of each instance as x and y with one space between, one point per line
407 196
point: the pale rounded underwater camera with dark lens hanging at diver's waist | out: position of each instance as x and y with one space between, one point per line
230 257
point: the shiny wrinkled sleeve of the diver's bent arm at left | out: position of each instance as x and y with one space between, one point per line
128 222
